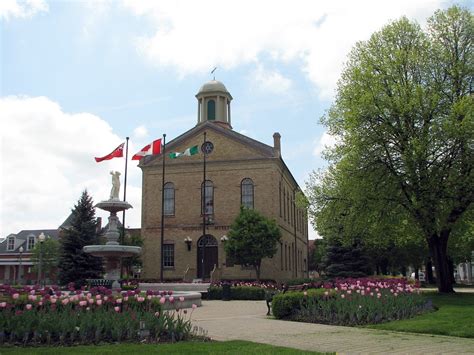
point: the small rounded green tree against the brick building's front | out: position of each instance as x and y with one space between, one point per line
252 237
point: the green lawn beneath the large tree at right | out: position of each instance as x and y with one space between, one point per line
454 317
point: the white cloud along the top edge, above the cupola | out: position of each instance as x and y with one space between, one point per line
195 36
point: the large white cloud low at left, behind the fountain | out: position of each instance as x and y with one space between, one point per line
45 164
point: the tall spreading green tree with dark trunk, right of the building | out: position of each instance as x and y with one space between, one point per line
404 118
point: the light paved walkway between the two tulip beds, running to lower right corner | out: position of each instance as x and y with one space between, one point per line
247 320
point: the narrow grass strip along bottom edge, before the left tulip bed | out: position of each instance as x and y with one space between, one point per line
236 347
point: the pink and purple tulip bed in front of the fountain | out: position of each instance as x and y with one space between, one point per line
49 316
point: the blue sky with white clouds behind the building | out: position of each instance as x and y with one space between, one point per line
77 77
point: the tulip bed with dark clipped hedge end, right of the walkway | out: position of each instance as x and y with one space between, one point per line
352 302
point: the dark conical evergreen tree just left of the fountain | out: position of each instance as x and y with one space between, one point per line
74 264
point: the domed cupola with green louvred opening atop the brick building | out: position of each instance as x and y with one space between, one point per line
214 103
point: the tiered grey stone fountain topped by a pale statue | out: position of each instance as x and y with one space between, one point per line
112 252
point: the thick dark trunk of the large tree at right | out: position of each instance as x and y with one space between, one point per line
438 248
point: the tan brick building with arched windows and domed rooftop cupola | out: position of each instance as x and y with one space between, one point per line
239 171
